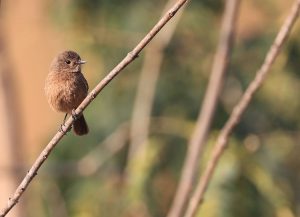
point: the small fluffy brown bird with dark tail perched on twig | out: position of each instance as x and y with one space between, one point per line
66 87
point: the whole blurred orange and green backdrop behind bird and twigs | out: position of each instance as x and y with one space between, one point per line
130 162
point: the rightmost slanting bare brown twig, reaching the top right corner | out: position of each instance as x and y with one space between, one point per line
239 109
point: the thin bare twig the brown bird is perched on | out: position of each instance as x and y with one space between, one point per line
91 96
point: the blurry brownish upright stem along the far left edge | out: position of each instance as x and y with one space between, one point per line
10 132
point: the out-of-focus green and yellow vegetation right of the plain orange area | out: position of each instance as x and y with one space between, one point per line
258 175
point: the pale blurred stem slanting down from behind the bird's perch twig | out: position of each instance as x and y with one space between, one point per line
146 89
